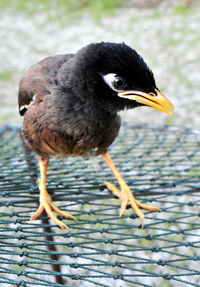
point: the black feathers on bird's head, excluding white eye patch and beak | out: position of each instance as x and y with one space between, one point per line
98 59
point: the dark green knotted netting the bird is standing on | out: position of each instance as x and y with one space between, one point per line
162 166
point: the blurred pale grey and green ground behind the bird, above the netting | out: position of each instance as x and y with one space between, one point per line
165 32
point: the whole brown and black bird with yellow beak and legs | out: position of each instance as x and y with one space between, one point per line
70 105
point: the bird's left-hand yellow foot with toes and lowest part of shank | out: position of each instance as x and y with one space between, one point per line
47 205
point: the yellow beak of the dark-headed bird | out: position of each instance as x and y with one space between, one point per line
155 100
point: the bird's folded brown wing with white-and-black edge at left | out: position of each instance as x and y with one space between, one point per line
39 79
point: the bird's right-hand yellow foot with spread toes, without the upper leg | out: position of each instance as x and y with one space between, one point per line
127 196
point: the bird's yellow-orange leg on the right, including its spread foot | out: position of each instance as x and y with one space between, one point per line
125 194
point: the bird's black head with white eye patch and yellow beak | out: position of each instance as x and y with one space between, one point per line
117 77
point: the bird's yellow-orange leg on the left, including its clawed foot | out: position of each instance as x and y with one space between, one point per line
45 198
